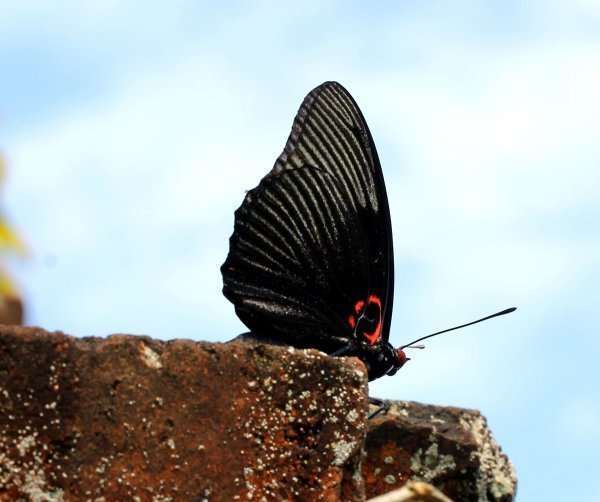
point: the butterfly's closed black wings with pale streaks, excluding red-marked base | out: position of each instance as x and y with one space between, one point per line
314 236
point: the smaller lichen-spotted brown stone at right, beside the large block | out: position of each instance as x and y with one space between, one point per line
451 448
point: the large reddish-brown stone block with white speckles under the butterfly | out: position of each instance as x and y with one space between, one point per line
131 418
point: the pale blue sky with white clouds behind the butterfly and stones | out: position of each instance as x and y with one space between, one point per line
132 129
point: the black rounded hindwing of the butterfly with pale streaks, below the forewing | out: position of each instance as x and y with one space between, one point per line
294 262
